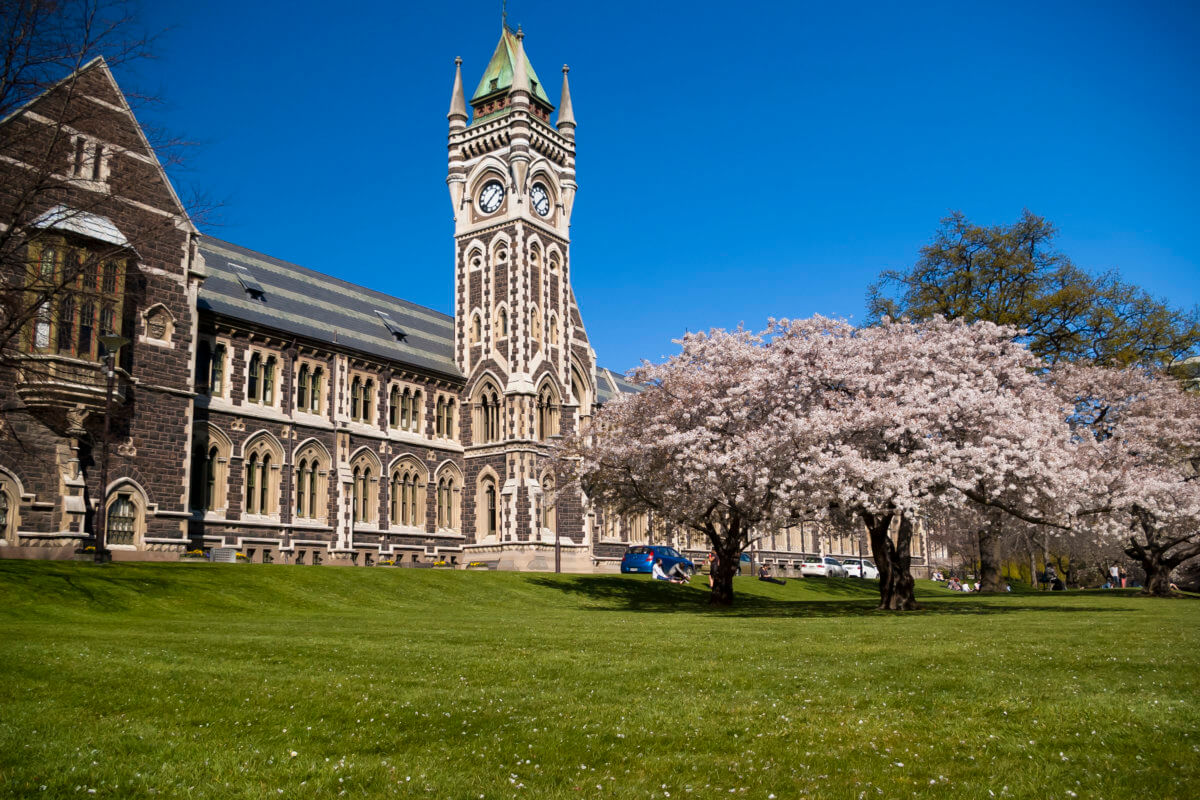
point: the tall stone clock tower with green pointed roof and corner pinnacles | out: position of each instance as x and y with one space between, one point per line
519 336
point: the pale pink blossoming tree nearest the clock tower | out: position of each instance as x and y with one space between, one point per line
697 447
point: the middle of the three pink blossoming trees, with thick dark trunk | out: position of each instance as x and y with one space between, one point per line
903 419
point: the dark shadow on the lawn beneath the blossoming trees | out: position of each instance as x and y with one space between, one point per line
621 594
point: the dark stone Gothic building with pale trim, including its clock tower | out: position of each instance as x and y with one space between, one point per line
289 414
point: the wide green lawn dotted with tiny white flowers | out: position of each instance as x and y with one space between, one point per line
202 681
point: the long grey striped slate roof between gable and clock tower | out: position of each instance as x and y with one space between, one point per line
295 300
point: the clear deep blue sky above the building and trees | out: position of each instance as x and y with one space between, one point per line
736 161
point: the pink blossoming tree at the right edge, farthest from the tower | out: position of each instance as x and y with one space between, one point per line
1141 446
